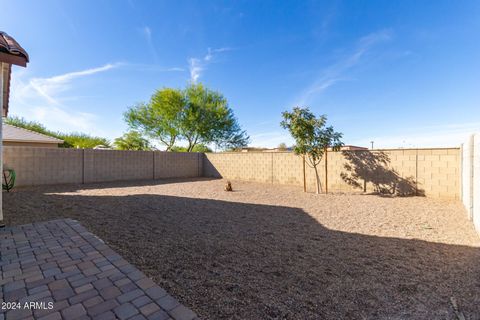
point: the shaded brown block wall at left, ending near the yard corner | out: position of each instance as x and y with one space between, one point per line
40 166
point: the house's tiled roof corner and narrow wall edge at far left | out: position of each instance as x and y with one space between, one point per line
10 53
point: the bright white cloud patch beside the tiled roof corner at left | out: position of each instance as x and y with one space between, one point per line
43 99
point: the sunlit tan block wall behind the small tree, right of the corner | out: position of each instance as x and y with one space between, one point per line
430 172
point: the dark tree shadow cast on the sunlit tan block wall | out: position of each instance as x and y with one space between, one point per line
364 168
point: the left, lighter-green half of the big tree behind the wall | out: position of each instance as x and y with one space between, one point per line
160 118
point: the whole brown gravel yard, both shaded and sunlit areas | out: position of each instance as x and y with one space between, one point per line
273 252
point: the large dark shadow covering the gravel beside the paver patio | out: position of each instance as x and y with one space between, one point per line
230 260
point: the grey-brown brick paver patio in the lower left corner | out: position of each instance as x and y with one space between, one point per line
60 262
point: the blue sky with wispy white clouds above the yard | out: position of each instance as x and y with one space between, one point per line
400 73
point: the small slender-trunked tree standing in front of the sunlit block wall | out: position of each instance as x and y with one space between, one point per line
312 136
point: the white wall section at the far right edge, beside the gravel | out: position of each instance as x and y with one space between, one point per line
470 177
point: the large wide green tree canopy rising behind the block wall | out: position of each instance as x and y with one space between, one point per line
196 115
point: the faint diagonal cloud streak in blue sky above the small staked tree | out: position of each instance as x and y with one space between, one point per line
338 72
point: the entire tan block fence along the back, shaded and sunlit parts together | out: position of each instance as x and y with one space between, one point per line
430 172
